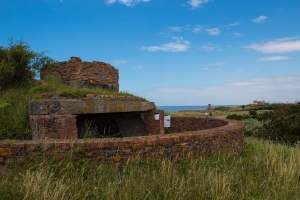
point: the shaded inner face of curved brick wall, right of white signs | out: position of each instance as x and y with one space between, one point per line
181 124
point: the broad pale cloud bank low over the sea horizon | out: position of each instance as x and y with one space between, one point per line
279 89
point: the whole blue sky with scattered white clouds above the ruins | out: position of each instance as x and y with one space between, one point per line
172 52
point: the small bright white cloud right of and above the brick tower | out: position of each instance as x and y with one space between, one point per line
179 45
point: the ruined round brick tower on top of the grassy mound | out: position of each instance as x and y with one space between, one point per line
85 74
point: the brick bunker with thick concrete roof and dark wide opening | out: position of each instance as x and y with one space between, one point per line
94 117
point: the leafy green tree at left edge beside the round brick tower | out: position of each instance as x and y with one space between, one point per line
19 64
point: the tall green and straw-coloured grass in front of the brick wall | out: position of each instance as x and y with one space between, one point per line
263 171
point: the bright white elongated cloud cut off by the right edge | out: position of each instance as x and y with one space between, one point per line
283 45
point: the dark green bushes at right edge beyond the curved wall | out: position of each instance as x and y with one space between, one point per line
282 124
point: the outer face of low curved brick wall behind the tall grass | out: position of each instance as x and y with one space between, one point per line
228 138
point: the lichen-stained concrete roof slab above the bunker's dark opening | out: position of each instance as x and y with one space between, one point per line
91 105
